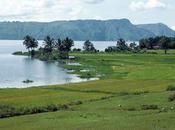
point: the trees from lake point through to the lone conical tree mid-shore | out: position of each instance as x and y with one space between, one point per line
54 49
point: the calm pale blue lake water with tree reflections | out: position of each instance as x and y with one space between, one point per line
15 69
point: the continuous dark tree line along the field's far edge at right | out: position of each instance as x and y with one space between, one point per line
159 42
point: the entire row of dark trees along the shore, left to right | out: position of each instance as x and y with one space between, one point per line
60 48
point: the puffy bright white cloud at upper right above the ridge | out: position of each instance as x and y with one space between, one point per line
146 5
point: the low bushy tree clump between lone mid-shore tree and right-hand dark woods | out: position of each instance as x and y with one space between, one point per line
122 46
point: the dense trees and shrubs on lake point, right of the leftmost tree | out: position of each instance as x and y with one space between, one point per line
52 50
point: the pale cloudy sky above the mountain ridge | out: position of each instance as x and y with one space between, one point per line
137 11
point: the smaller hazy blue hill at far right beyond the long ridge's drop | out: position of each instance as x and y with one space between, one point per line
158 29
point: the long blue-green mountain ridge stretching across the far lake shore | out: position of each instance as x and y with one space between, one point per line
96 30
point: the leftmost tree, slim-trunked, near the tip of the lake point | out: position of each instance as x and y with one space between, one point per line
30 43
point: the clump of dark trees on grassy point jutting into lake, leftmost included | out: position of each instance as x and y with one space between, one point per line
52 49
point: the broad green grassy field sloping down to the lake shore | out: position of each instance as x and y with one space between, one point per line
130 95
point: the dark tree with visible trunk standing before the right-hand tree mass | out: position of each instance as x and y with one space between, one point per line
165 43
